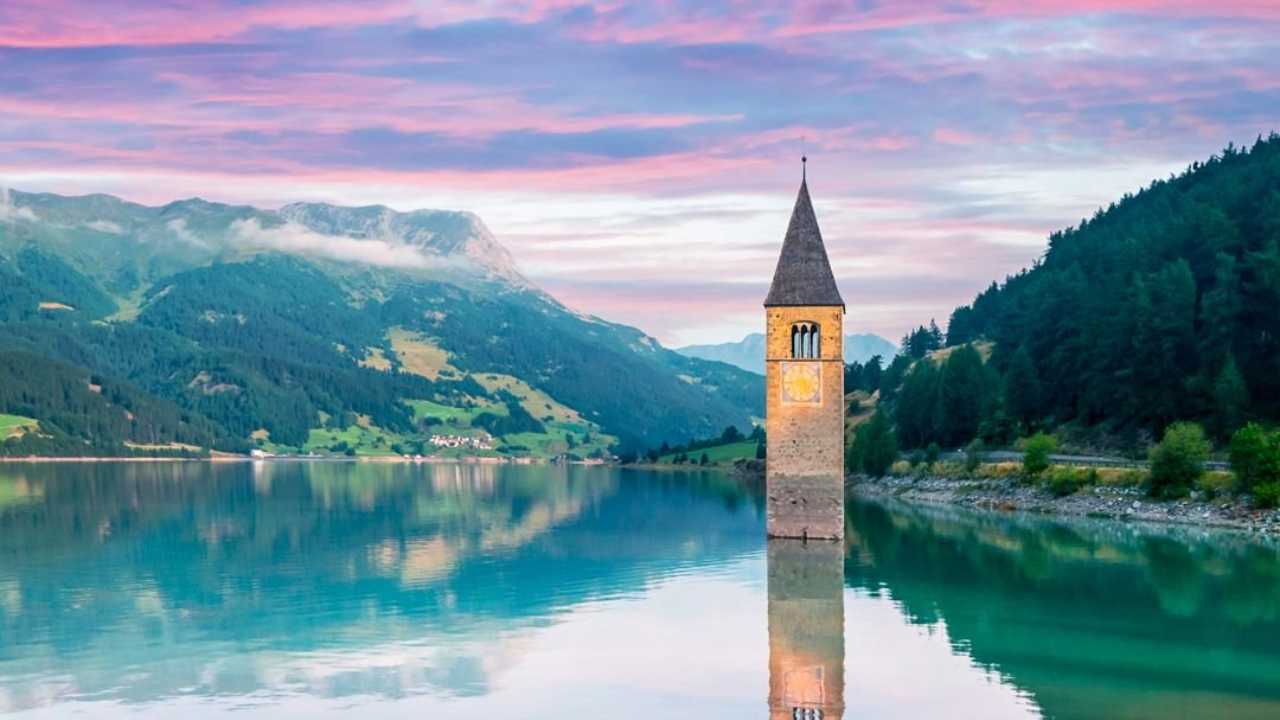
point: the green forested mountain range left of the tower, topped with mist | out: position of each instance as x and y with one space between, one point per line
318 329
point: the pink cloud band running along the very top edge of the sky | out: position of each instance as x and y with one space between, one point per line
68 24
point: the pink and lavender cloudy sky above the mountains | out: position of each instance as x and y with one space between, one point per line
641 161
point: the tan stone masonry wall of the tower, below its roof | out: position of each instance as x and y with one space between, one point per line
806 464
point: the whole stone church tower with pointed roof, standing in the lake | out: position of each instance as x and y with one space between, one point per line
806 385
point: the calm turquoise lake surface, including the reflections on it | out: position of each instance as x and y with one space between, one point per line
295 590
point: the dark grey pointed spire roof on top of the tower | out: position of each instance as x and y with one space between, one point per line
803 276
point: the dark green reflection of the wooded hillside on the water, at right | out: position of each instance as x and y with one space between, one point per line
1090 619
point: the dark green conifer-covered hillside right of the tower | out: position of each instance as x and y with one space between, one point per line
1163 307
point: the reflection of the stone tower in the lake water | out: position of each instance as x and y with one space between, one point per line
807 630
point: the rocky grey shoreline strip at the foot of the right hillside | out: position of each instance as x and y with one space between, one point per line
1099 502
